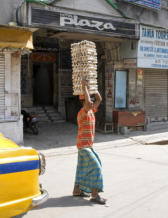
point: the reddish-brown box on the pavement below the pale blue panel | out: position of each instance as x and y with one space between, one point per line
128 118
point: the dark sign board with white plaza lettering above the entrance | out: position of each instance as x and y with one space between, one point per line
66 21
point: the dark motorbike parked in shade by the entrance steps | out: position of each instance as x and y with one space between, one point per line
30 122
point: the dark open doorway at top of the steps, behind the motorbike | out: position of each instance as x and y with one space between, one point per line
43 84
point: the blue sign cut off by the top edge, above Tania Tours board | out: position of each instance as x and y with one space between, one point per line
155 4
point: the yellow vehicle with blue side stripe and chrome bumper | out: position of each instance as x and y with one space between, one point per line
20 168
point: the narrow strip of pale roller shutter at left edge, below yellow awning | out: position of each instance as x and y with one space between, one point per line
2 86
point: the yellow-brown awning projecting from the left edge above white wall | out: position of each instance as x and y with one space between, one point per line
15 38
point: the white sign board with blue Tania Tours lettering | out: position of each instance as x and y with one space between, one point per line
153 48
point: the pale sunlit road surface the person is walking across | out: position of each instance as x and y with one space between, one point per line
135 183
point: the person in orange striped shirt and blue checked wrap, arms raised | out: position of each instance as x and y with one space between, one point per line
89 177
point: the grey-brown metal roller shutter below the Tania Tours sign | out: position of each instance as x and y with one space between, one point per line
156 87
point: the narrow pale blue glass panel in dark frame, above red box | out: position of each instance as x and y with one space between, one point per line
120 89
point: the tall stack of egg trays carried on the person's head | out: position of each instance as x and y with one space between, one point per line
84 65
